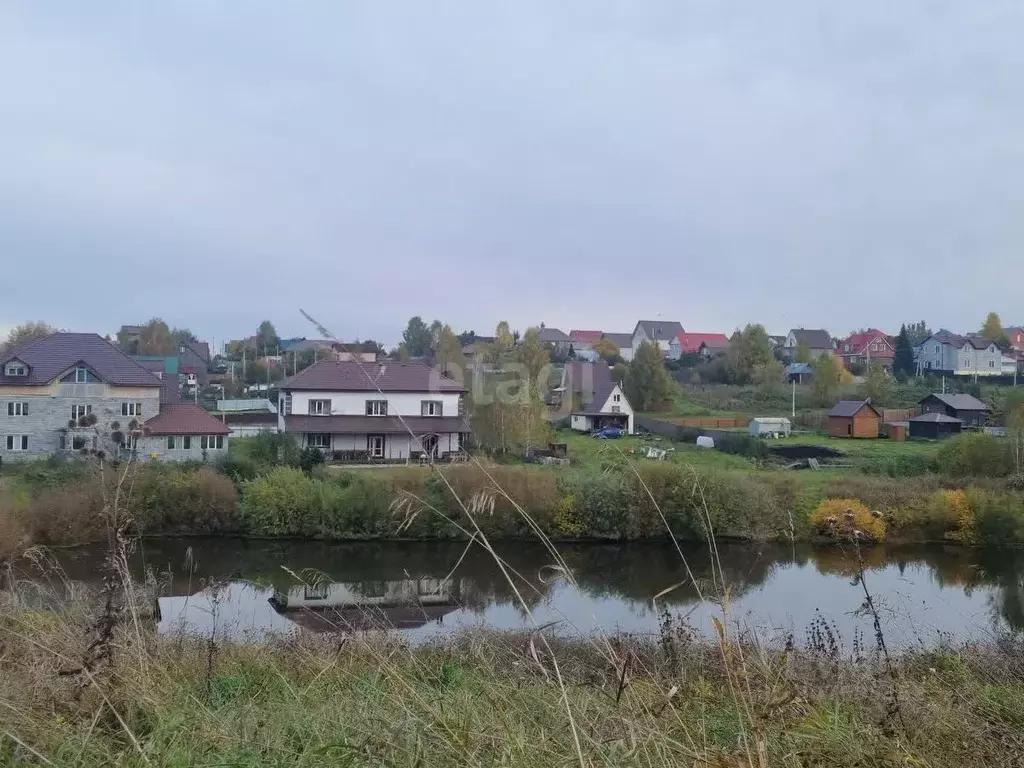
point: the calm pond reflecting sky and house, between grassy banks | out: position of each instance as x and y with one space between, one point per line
227 587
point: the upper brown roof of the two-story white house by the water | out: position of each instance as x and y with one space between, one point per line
388 376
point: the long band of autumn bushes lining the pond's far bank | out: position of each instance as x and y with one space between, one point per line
630 502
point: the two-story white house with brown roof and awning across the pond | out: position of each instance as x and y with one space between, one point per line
387 411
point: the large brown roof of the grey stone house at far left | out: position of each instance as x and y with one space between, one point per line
50 357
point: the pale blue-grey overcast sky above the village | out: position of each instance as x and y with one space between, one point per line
584 163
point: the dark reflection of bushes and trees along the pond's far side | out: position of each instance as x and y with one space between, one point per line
631 574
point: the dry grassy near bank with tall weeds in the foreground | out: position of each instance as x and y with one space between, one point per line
493 700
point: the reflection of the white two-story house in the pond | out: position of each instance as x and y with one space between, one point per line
350 607
